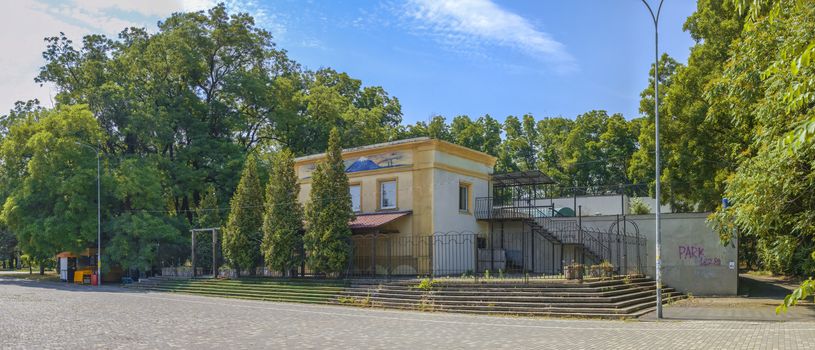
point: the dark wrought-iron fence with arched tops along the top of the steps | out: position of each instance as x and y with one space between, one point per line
515 249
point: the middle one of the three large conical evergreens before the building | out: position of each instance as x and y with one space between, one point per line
283 216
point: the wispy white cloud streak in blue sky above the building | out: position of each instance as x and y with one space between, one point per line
470 25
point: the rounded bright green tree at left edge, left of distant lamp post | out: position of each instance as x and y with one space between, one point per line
51 181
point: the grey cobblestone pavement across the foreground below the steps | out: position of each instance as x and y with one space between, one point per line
42 315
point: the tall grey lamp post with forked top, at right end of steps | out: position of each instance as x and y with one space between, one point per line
655 18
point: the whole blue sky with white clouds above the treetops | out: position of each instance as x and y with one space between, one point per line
438 57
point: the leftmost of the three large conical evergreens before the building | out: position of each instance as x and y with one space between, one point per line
242 234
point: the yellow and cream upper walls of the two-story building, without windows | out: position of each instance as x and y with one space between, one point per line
430 161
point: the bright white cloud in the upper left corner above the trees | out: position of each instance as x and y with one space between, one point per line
24 24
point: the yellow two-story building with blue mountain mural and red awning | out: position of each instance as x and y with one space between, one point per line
408 195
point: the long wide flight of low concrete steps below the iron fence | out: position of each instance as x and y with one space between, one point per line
615 298
